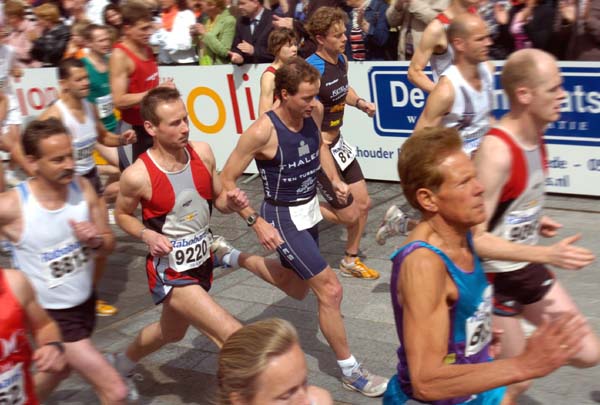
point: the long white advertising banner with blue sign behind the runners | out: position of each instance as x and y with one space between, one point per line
222 101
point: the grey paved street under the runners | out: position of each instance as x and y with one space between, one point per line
184 372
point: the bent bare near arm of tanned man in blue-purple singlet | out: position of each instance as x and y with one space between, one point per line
426 328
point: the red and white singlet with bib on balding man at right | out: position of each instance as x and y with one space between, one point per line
519 209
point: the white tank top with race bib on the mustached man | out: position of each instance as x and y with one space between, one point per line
58 265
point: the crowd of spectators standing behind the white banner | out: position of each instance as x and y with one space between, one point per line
209 32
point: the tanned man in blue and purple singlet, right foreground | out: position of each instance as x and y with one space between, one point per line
441 299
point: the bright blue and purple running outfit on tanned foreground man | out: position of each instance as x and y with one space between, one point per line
470 328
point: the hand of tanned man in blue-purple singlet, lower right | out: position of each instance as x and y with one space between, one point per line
553 344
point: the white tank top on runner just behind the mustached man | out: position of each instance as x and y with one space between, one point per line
83 135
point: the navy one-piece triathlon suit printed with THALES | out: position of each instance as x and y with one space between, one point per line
290 181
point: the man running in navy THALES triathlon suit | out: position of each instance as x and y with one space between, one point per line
288 150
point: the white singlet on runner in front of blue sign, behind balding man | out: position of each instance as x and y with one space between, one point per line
471 110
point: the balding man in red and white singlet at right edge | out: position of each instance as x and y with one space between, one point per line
510 164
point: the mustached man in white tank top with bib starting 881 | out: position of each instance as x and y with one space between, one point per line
55 222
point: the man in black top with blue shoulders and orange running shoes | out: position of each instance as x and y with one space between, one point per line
327 26
